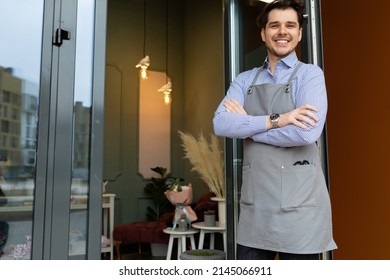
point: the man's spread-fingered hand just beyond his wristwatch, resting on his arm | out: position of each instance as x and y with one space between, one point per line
300 116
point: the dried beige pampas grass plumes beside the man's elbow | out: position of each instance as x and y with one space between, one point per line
206 159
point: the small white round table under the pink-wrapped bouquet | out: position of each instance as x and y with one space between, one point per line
183 235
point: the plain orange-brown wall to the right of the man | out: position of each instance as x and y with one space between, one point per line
356 40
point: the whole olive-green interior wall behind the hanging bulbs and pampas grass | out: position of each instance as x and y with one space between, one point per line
197 87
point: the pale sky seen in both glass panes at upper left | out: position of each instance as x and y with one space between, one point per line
20 42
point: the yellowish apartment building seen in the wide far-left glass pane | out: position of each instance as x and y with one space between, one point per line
18 123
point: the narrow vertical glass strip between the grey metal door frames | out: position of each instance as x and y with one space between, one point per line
82 123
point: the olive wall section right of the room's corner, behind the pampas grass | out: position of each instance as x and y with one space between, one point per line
204 72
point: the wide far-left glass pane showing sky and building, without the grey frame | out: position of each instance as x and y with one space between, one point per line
20 64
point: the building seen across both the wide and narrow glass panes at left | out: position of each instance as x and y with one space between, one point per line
18 128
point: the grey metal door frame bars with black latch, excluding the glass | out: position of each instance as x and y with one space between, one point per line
55 131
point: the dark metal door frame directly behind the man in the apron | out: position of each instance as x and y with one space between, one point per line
312 52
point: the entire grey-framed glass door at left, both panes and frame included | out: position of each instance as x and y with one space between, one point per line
51 128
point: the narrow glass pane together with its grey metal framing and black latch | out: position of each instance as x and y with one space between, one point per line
69 169
